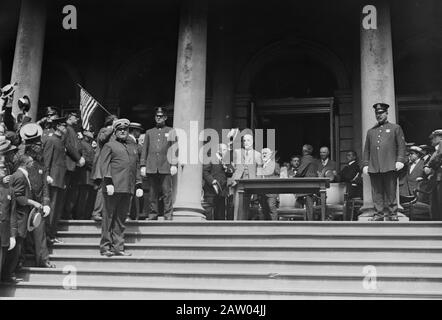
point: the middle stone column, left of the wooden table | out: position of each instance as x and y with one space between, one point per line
189 105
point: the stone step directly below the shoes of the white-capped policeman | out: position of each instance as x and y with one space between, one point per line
255 264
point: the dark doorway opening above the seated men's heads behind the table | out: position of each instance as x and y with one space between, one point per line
295 130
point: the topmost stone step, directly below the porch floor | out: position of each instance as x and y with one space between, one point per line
244 227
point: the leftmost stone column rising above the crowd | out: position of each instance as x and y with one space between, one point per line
28 56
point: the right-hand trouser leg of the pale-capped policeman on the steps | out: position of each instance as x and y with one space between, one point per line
117 227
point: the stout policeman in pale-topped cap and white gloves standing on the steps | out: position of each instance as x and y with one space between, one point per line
121 179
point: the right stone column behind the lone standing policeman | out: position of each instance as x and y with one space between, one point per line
377 80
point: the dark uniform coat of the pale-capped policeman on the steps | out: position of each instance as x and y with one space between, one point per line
121 166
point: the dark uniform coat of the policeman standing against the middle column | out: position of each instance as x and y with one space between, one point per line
155 148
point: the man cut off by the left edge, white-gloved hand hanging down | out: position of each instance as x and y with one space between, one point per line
8 217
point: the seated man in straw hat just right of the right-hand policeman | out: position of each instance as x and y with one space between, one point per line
414 172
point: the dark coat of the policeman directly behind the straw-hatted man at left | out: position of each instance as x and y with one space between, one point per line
55 160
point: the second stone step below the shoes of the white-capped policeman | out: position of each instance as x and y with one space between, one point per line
227 280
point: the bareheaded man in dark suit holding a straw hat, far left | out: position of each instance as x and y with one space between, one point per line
21 186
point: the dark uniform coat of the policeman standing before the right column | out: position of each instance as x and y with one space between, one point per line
384 146
